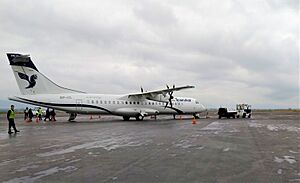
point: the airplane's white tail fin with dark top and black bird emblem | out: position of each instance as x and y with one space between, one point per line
30 80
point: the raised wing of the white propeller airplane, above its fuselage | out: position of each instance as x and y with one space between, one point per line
152 94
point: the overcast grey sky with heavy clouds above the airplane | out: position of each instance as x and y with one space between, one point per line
232 51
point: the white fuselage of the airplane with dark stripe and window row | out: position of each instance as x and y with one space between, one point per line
111 104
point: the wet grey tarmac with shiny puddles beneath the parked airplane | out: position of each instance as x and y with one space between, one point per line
265 148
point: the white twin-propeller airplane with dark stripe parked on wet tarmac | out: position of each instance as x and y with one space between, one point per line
37 89
